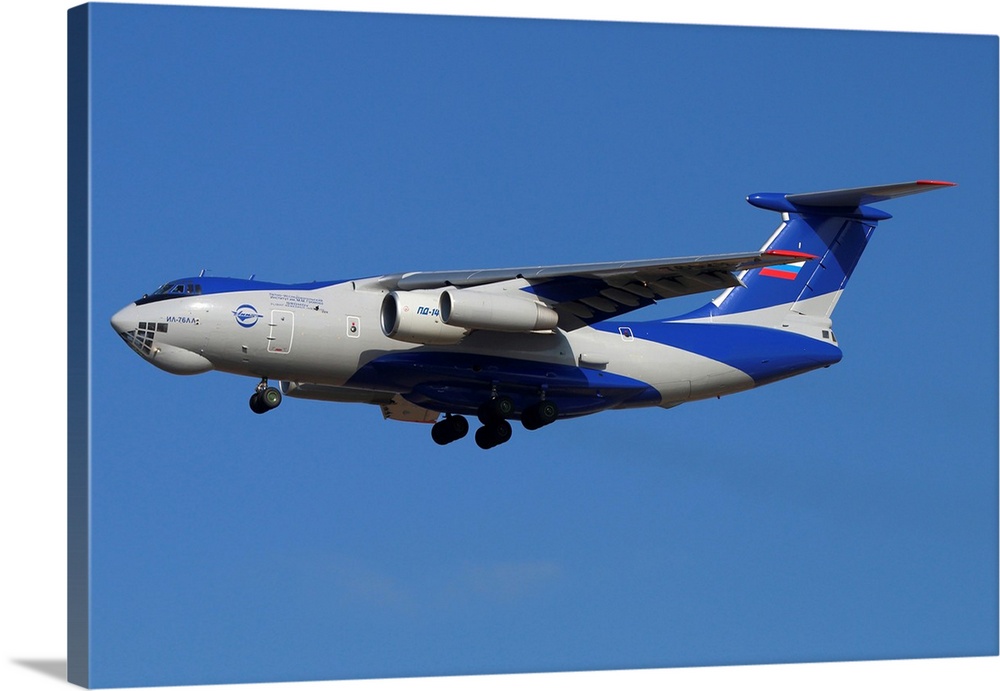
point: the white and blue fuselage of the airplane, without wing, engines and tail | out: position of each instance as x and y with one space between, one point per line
331 336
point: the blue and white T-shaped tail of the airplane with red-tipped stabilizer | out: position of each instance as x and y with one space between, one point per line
834 226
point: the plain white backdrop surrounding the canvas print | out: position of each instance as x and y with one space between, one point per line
32 407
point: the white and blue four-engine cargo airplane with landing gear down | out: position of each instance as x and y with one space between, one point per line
535 344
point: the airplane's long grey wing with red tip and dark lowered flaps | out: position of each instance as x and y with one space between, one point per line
588 293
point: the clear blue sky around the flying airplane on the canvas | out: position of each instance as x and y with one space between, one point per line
847 514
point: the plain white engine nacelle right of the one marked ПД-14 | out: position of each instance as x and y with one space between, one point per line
474 309
